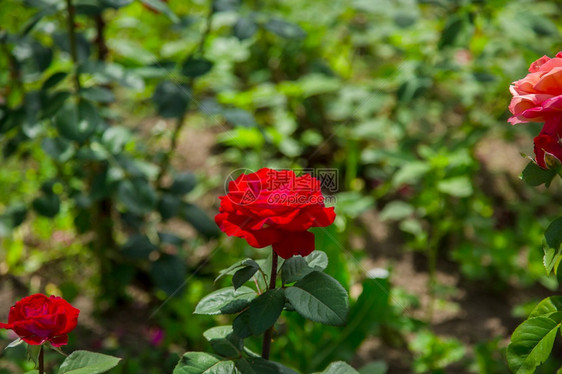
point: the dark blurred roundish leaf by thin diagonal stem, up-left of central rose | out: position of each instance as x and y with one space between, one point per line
171 99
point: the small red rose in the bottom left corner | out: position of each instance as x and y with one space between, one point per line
37 319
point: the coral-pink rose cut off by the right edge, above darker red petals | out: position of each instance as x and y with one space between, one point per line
538 96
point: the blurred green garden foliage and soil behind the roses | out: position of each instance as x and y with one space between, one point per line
120 122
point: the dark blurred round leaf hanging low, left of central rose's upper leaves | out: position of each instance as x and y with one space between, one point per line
169 273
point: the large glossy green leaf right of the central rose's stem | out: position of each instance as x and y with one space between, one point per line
320 298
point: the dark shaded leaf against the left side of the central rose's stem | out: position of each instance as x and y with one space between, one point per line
265 309
